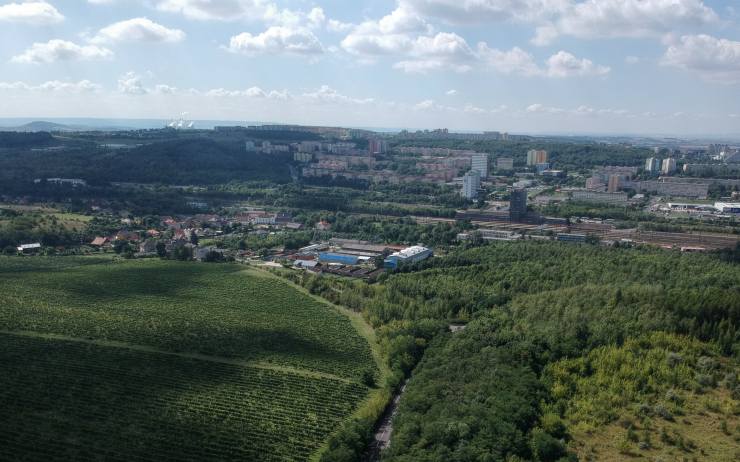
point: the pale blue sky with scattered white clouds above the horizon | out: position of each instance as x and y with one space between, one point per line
667 67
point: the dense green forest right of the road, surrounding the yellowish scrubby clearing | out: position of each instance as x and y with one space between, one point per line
486 393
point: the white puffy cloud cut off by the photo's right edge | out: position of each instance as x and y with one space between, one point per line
712 58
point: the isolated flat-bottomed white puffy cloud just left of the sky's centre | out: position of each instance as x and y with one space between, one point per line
276 40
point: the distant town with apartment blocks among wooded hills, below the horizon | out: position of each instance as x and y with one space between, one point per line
492 186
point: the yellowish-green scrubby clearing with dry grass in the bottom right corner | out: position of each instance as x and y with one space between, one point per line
659 397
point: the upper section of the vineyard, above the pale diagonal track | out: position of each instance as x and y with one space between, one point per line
212 310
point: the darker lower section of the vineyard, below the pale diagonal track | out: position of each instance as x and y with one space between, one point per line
73 401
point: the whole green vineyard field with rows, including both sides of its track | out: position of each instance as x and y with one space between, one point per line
154 360
